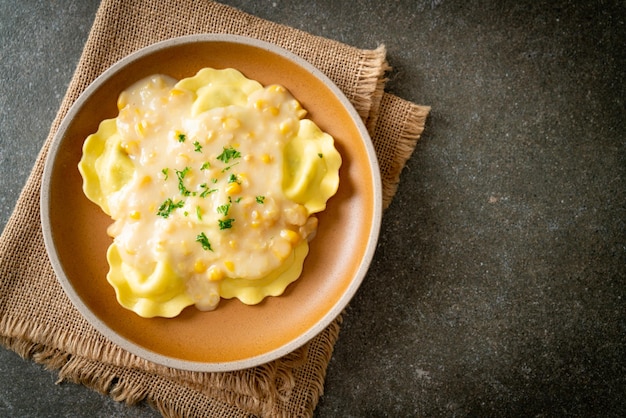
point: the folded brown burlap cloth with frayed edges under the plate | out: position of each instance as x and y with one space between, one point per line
39 322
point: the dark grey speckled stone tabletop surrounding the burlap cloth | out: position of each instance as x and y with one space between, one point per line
498 287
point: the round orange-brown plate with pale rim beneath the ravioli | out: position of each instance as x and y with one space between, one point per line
234 336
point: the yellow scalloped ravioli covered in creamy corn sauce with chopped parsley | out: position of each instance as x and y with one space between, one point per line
212 183
